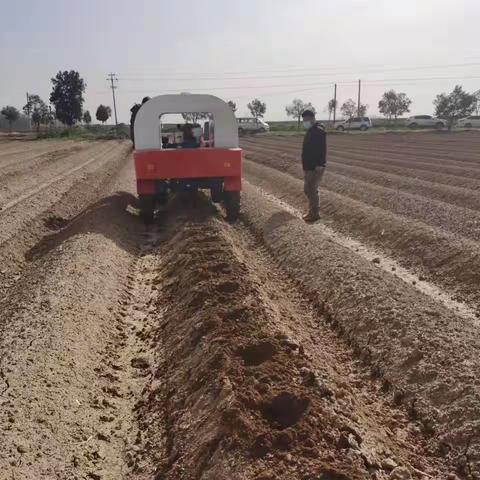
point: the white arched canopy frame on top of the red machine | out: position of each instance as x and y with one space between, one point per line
147 120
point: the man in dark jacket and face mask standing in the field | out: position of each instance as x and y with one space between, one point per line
314 158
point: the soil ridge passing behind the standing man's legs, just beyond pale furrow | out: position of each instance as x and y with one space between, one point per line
432 255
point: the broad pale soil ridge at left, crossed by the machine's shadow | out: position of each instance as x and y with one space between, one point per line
76 363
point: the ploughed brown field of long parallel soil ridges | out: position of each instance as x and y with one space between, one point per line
267 349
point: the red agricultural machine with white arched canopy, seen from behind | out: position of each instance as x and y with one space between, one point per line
162 167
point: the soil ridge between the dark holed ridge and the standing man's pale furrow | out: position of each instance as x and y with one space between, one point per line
426 356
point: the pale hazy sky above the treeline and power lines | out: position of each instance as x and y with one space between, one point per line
275 50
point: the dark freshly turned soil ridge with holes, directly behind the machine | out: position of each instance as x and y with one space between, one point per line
246 382
